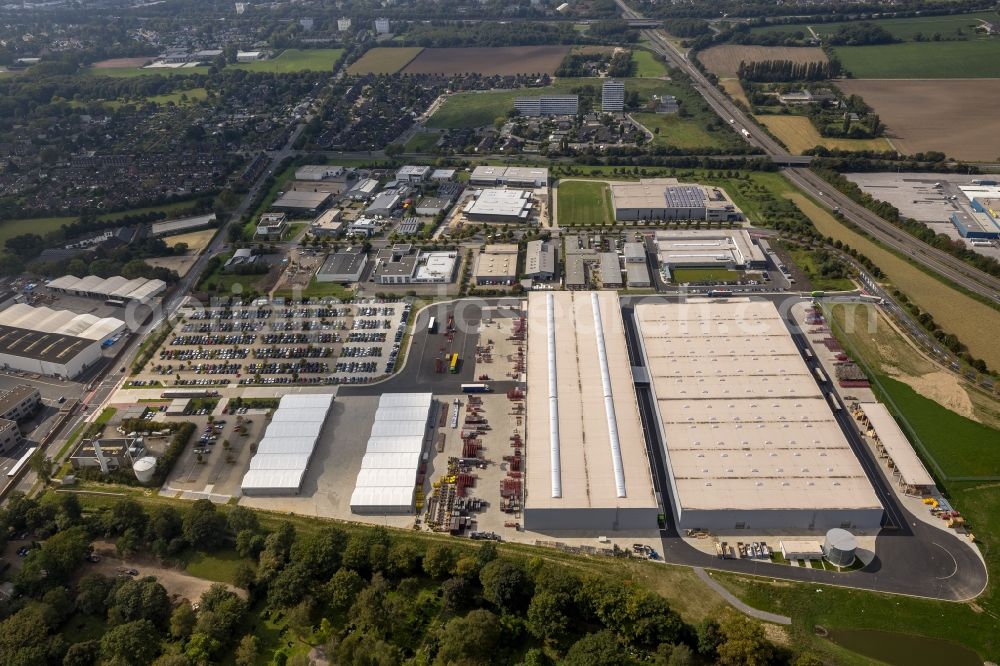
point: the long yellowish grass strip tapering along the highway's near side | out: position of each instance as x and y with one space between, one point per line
972 321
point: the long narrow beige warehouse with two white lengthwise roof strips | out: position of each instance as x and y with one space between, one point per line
586 464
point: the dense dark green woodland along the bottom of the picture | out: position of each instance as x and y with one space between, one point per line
362 595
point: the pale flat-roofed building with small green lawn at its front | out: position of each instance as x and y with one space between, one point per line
708 248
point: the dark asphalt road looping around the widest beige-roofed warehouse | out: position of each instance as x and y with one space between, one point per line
911 558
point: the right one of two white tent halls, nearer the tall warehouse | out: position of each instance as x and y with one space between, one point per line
388 477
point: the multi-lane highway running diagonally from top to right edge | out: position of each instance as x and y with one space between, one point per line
933 259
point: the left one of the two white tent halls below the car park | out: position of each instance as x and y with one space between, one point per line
283 455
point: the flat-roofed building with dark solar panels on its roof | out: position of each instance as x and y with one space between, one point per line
669 199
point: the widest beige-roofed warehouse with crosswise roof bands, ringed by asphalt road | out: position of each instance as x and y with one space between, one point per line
750 439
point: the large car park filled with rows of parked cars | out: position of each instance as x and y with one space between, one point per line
260 343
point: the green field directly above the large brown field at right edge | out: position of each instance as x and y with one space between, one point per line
923 60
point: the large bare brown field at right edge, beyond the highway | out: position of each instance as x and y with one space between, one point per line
957 117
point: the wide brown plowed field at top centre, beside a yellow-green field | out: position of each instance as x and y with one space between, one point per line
503 60
